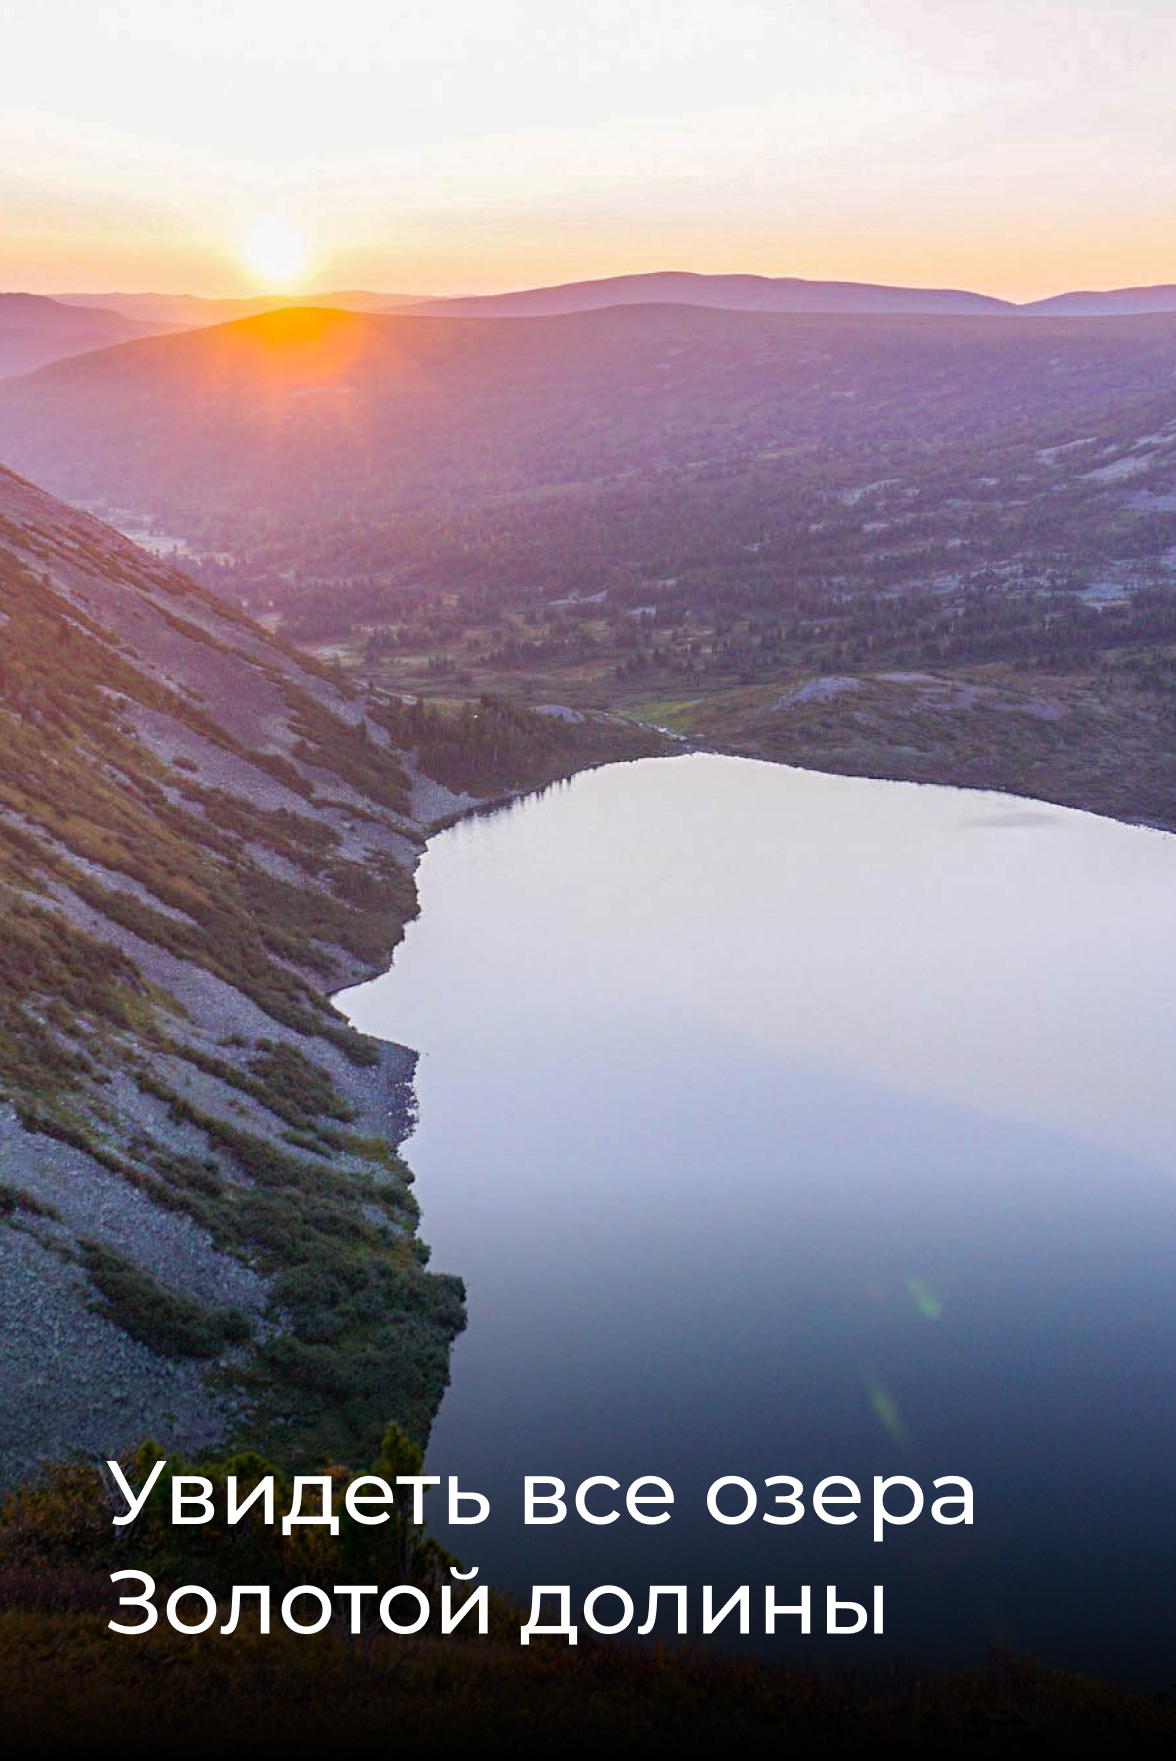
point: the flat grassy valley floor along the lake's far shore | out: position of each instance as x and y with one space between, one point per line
1096 741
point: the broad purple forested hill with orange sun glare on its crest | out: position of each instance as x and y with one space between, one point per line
733 452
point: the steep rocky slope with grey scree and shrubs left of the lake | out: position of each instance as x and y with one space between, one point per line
205 1230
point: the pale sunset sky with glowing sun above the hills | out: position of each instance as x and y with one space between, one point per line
1015 147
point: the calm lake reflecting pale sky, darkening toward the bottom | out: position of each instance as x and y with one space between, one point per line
795 1124
